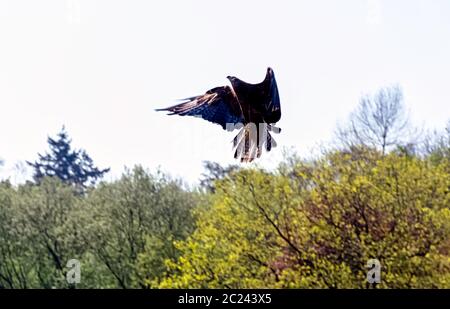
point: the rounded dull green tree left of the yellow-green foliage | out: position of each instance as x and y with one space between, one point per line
130 225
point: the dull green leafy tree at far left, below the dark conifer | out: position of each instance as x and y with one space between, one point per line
35 239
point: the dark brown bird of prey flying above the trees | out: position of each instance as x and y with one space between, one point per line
251 108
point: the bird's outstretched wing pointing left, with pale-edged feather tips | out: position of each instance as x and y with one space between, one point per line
218 105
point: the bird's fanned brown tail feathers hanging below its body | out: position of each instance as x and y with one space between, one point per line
249 142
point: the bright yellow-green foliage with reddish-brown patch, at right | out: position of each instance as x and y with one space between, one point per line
315 225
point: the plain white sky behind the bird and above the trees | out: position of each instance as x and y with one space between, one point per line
101 68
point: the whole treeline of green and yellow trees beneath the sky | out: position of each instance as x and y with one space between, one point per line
310 223
